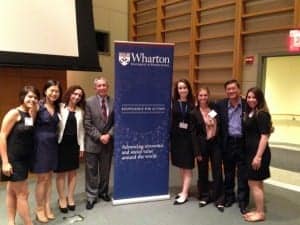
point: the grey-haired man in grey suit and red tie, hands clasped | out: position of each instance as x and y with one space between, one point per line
98 122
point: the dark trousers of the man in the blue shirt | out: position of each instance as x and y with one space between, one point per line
234 160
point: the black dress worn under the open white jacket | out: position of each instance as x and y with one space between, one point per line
68 154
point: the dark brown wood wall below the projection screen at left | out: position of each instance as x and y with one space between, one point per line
13 79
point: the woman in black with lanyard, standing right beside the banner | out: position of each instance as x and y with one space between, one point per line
182 152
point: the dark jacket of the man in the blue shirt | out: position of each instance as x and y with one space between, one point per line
222 110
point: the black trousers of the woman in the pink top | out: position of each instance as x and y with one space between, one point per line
211 191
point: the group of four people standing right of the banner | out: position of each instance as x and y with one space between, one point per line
230 137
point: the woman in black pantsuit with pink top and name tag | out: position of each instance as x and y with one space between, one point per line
208 143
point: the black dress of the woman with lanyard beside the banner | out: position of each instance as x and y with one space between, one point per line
182 153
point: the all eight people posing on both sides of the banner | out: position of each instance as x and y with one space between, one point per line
50 135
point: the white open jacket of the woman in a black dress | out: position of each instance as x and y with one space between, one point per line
64 113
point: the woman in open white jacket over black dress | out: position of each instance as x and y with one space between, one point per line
71 145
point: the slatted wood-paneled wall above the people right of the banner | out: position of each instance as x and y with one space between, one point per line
212 36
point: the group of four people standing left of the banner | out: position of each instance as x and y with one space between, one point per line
49 135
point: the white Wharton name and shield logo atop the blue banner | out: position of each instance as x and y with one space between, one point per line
140 59
